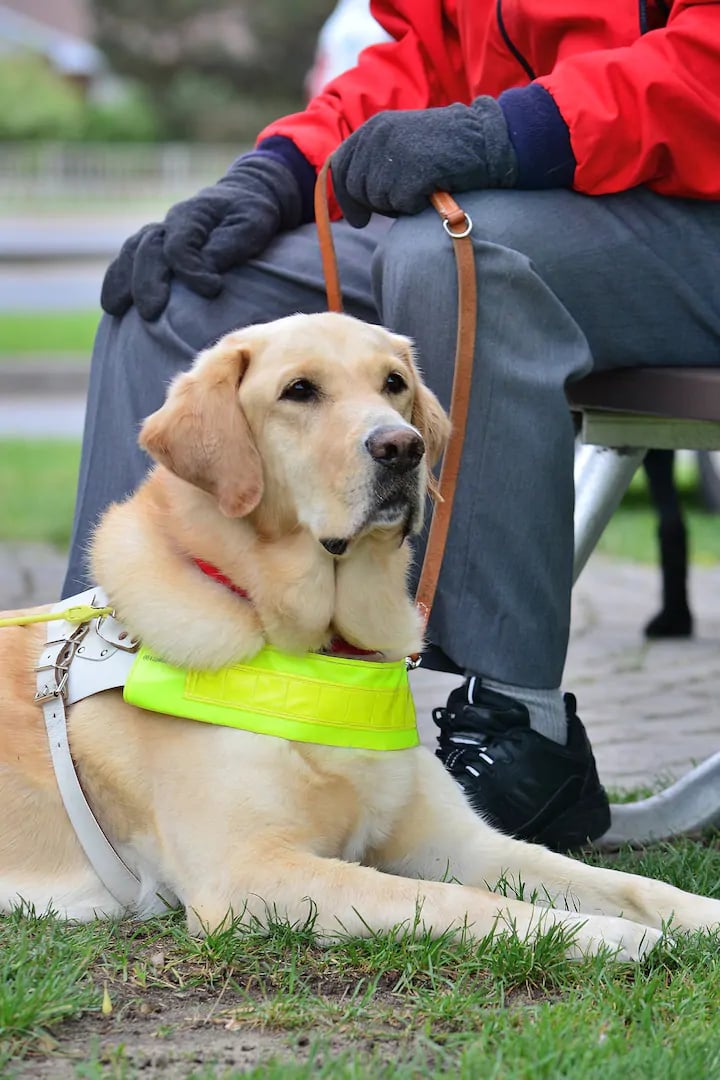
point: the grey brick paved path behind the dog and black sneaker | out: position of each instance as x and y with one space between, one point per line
651 710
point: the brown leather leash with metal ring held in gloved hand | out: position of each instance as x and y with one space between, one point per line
458 226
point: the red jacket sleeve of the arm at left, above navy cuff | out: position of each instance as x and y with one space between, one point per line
422 67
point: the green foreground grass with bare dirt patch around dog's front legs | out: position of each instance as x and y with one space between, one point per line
392 1006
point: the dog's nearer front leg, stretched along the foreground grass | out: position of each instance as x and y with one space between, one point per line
339 899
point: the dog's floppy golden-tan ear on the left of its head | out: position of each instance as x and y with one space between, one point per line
201 433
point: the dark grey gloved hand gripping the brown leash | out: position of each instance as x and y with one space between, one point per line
398 159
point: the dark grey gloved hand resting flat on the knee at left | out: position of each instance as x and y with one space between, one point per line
202 238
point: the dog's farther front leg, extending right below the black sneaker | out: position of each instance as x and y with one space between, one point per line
442 836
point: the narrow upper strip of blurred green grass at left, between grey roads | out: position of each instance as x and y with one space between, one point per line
48 334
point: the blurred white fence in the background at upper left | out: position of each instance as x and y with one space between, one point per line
57 170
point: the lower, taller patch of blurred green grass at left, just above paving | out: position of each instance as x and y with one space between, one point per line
38 485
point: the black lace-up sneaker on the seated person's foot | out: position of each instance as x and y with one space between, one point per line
520 781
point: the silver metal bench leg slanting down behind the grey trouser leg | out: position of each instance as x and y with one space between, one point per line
603 476
